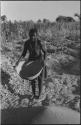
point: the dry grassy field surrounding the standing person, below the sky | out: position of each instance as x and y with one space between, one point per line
62 86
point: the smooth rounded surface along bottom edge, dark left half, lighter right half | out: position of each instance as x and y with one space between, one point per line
40 115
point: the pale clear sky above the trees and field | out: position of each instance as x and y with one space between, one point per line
34 10
